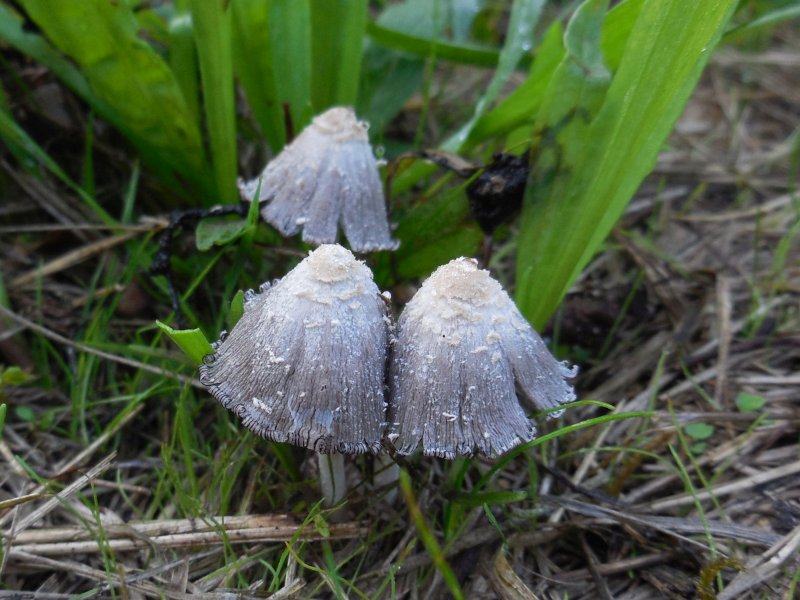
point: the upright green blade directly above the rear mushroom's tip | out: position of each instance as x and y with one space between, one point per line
338 37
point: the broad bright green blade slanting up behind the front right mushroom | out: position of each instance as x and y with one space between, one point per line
576 195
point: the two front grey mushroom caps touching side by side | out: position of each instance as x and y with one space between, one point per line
307 363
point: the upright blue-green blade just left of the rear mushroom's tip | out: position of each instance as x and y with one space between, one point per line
290 41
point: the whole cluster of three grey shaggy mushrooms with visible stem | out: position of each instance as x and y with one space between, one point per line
316 359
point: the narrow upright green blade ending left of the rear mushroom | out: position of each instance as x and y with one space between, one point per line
211 21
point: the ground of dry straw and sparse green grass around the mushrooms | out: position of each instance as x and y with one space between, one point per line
690 315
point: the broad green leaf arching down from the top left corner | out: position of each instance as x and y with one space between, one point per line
131 86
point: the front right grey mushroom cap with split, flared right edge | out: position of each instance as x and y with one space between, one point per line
464 362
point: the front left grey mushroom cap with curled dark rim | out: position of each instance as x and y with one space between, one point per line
306 362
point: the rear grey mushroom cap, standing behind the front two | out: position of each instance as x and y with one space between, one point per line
326 178
